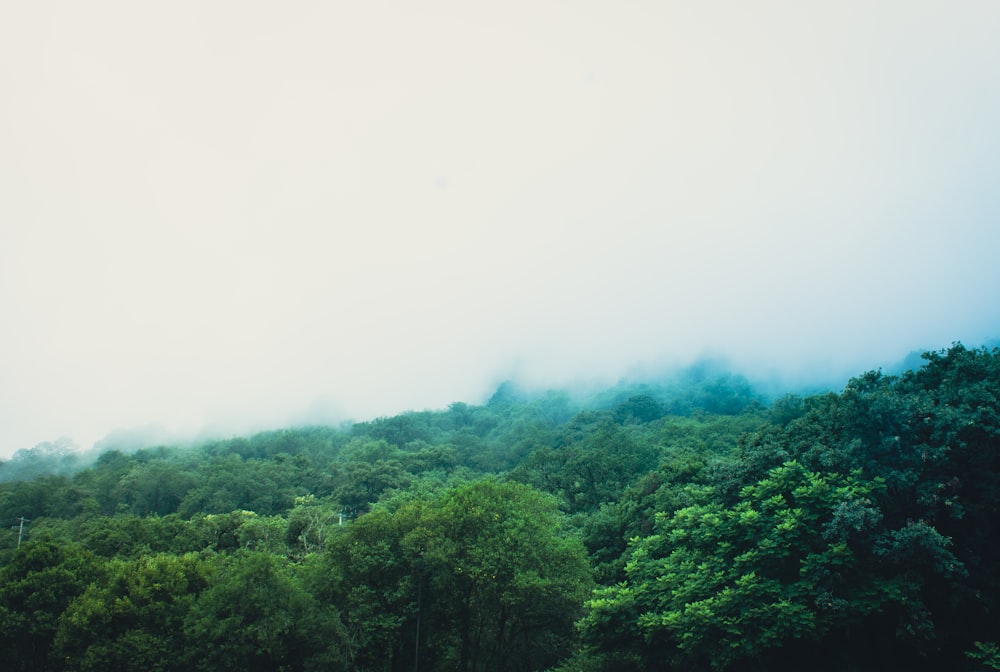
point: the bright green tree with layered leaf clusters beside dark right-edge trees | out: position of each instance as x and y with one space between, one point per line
717 586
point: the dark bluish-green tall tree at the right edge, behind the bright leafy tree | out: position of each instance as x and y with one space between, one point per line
931 436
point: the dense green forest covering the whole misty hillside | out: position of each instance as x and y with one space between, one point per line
686 524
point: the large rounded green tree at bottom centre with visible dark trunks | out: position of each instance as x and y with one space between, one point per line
479 577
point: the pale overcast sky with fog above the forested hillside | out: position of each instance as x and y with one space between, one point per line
241 214
